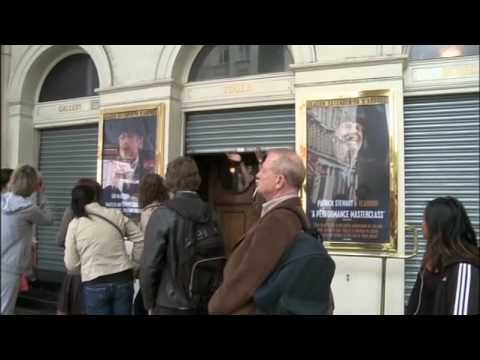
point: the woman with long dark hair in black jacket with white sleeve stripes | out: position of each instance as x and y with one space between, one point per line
448 281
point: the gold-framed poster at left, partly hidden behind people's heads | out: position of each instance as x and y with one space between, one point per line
131 143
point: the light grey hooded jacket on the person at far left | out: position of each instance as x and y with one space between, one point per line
19 214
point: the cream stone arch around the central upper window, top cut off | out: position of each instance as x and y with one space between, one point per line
175 61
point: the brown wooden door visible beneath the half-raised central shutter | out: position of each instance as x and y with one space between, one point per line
229 187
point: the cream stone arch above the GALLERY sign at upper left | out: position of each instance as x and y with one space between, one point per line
38 58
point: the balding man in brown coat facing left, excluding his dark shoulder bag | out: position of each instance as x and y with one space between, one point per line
255 256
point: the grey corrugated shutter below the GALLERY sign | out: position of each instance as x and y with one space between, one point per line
66 154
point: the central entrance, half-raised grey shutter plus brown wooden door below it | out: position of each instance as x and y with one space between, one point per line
210 134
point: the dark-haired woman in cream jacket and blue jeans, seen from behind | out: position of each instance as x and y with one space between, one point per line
95 245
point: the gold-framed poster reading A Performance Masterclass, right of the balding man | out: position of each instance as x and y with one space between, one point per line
351 192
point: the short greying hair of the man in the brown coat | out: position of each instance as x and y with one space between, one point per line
289 164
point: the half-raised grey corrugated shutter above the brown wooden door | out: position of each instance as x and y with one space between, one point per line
221 131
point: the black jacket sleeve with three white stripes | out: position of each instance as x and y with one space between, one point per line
466 295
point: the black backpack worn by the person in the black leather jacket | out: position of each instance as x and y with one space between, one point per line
201 257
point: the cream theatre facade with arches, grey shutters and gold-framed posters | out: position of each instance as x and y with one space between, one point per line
415 111
